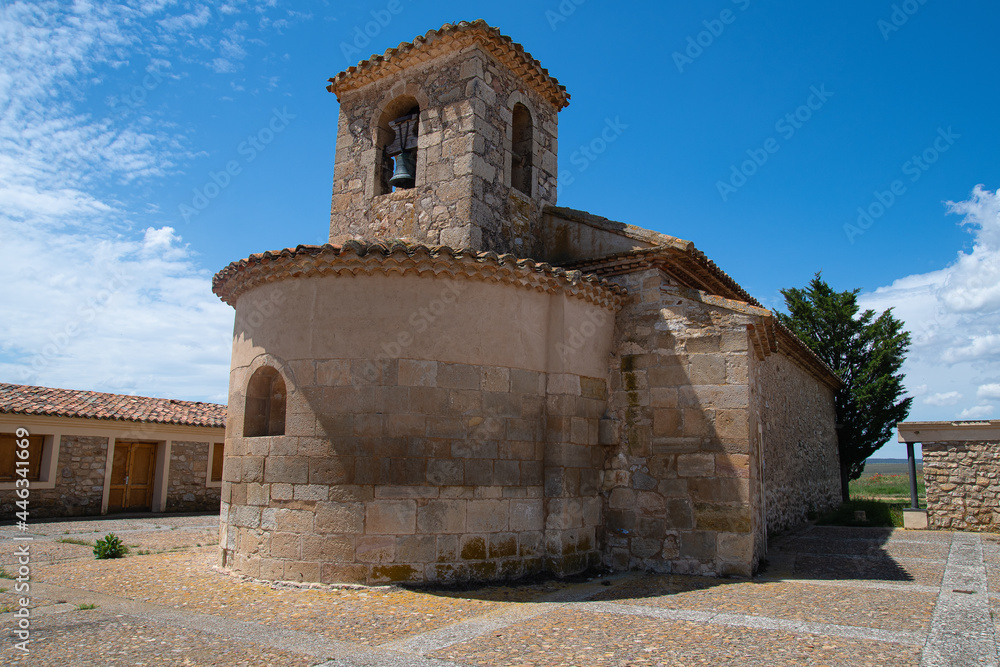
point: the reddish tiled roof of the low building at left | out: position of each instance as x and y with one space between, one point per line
52 401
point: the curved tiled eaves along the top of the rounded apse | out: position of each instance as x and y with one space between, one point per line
368 257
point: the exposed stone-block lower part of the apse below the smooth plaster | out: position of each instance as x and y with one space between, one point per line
410 470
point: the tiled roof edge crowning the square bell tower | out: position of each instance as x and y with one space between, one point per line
499 45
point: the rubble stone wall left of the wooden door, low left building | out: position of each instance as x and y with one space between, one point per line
79 482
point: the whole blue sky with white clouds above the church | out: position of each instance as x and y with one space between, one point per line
762 131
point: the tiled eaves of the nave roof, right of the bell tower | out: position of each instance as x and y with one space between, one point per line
692 266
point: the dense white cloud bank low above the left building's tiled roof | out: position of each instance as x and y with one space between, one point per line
116 315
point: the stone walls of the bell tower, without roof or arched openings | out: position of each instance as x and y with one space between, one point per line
463 197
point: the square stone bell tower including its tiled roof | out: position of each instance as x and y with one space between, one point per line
448 140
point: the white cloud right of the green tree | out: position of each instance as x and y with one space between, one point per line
953 315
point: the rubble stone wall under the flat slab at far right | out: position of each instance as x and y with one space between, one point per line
963 485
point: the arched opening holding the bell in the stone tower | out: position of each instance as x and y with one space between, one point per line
397 144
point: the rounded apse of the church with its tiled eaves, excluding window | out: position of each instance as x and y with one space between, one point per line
410 468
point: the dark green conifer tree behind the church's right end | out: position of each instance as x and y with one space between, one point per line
867 351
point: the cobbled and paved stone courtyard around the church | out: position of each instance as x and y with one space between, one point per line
829 596
